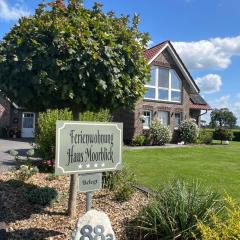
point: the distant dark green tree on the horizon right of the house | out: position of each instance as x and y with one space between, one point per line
223 118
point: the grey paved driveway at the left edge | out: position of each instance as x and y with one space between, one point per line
6 160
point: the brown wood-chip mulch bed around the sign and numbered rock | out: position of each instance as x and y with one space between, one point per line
28 221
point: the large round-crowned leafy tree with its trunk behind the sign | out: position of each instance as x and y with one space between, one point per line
68 56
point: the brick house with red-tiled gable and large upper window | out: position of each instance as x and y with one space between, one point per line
171 96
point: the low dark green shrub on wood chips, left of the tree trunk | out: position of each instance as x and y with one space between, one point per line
42 196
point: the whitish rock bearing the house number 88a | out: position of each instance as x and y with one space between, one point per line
94 225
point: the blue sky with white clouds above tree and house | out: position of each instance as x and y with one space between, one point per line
205 33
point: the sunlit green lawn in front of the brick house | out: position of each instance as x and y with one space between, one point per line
216 166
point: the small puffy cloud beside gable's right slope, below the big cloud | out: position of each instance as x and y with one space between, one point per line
210 83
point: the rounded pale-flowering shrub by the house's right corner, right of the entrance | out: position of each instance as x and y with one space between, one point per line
188 131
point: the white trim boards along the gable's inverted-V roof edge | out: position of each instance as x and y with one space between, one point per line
176 58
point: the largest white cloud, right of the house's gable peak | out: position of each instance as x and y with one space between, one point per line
211 53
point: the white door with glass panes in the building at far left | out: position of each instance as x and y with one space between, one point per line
28 124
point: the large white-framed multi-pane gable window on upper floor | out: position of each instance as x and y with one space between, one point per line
165 85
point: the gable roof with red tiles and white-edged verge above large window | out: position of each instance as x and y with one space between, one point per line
153 52
